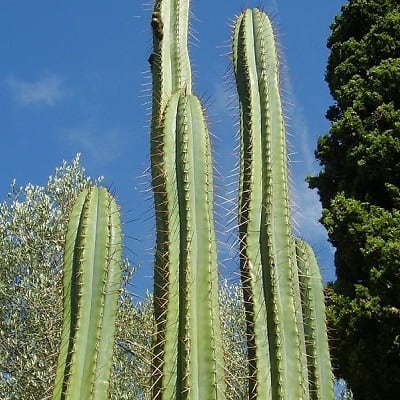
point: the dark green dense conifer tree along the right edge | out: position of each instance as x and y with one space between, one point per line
359 187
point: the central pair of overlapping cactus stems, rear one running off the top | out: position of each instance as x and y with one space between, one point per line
187 353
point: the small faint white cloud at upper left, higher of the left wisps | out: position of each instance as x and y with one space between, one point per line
47 90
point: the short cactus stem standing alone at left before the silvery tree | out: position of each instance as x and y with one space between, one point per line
91 281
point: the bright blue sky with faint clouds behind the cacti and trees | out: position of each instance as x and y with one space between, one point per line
74 78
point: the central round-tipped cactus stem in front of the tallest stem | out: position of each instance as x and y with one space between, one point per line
192 364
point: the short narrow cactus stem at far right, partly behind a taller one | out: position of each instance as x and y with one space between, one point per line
316 339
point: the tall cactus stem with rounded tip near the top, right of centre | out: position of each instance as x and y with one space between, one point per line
270 278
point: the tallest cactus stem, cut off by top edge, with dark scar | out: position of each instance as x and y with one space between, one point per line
170 68
